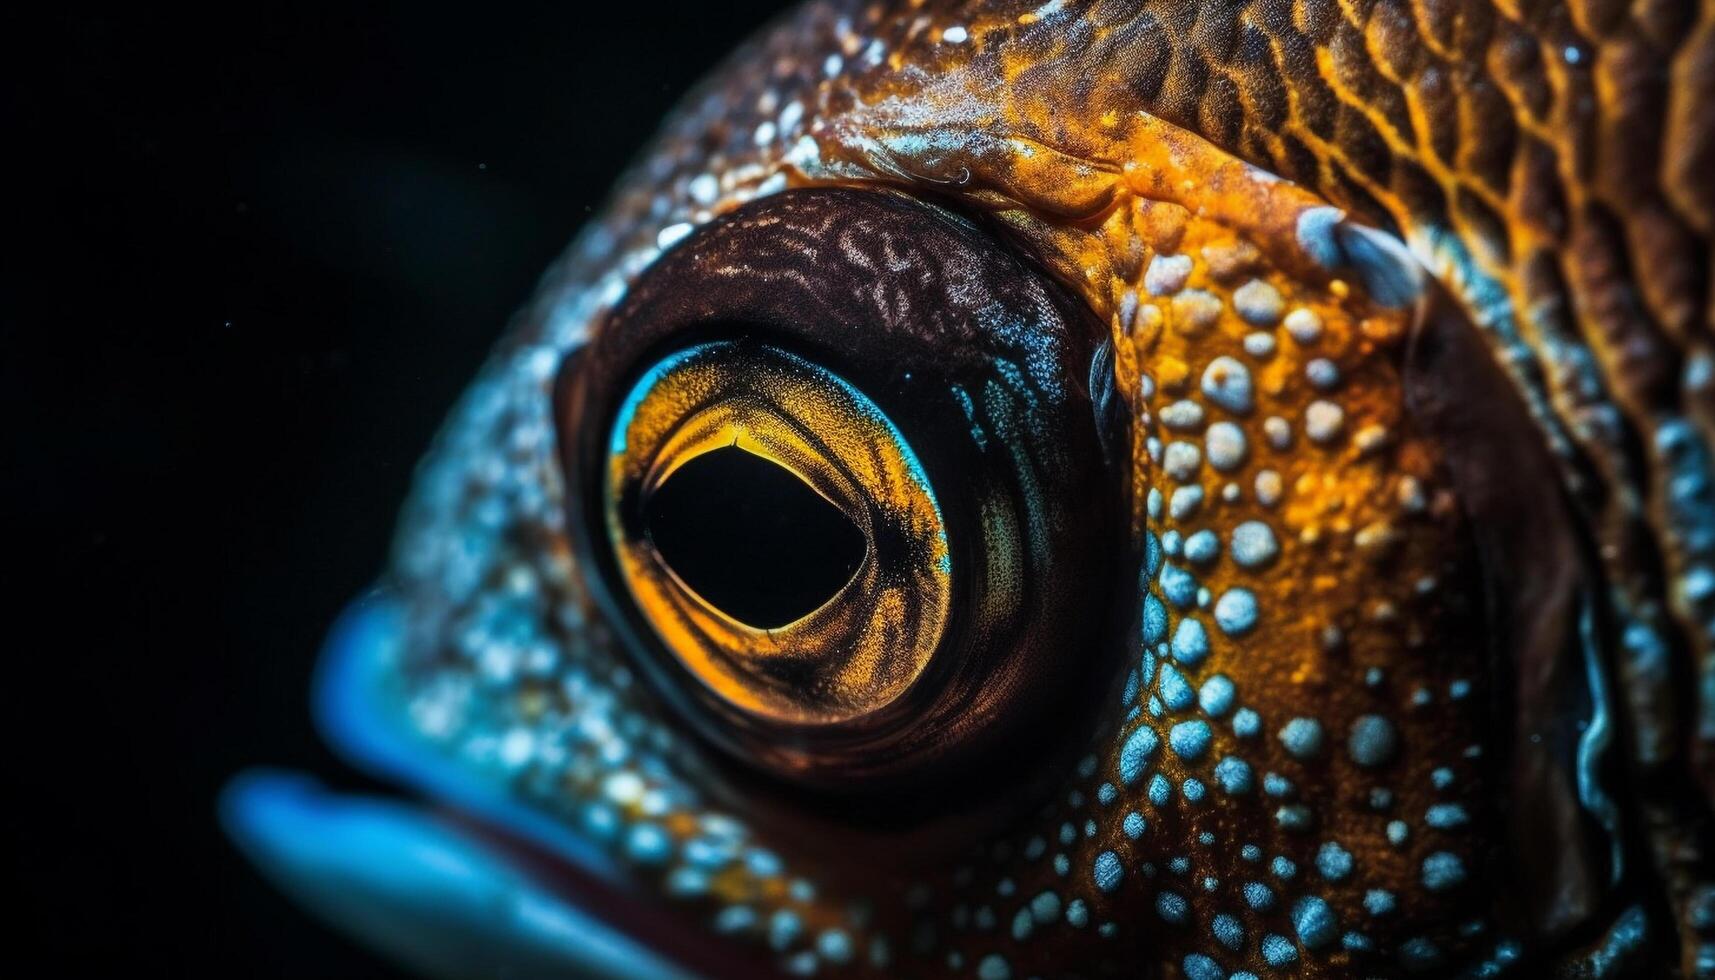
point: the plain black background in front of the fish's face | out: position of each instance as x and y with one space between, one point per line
256 253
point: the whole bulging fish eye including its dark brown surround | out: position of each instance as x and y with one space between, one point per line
841 475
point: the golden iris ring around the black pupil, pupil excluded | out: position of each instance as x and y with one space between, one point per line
870 641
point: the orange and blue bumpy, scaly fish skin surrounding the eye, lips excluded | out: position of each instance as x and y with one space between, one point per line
1320 749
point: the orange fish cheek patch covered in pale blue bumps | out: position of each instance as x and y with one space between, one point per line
1301 771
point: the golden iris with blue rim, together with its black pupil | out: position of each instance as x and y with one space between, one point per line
719 411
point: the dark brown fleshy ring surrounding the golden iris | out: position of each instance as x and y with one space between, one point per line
982 365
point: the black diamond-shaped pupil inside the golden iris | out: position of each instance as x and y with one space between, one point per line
752 538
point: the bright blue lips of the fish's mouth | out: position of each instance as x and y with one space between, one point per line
462 881
